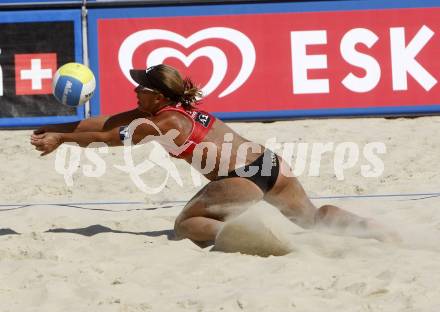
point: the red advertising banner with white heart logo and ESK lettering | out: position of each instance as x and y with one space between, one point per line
278 60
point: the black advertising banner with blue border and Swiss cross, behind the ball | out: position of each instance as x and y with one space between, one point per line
31 50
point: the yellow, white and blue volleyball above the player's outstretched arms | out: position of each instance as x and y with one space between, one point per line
73 84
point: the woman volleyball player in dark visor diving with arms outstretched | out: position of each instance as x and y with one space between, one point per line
169 103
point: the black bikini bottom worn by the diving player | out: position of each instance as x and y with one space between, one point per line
263 171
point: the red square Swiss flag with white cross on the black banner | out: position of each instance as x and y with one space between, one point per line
34 73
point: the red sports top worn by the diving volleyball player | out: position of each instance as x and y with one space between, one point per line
201 123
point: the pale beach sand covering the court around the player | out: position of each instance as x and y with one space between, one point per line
130 264
